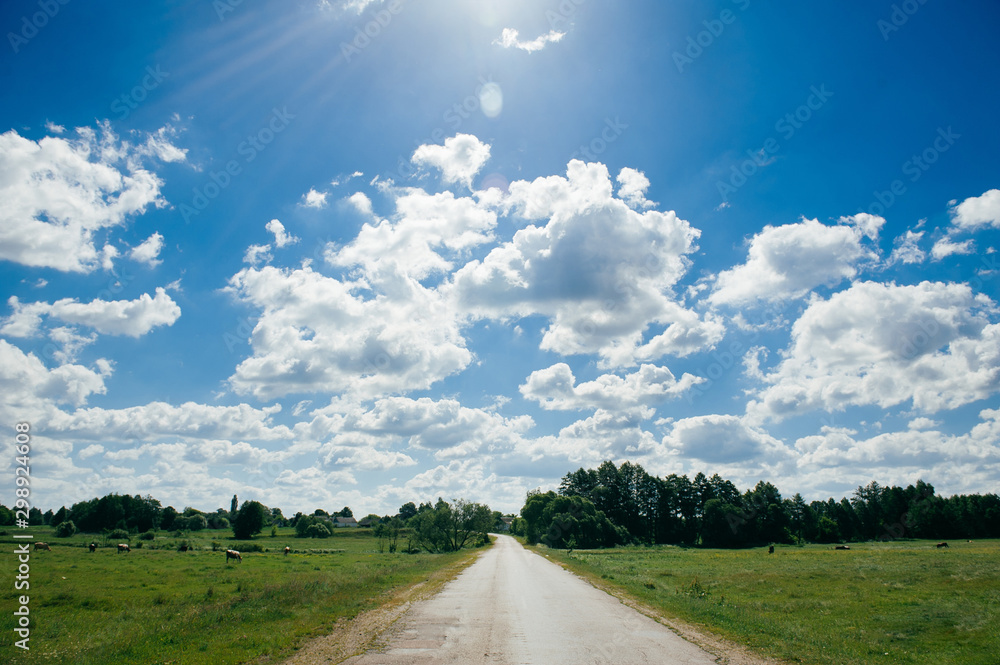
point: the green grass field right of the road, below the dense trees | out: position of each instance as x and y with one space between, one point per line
893 603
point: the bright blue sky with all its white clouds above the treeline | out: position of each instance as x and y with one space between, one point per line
367 252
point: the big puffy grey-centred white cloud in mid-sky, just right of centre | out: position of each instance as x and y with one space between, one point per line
601 272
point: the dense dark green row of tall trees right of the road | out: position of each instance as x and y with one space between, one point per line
614 505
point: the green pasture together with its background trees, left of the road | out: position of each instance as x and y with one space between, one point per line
177 598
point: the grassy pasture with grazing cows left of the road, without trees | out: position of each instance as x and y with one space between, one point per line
165 606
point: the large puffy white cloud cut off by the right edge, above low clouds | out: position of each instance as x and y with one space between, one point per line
931 344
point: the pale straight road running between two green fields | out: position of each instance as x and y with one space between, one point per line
512 607
